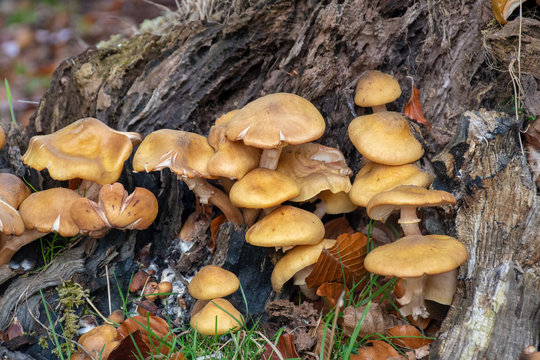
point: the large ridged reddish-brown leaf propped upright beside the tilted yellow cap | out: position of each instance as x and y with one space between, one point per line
344 260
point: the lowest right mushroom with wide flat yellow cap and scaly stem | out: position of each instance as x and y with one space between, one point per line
412 258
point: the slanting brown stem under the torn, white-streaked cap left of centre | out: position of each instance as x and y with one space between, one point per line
210 194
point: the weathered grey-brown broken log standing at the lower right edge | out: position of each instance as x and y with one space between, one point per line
496 312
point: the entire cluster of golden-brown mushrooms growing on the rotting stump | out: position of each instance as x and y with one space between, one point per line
261 155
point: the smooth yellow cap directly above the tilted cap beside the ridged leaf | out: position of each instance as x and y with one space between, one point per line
286 226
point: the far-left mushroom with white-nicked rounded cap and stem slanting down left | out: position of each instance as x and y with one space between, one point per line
42 212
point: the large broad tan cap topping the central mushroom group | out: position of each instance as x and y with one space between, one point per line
276 119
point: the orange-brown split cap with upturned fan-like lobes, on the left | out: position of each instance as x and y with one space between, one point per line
116 209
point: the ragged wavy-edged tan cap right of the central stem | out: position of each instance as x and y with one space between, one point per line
315 168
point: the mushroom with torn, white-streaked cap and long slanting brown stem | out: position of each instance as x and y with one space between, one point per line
186 154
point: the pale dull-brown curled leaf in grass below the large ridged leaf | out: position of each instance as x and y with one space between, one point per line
373 322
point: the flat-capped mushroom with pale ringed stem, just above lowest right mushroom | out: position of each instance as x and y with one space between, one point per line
406 198
